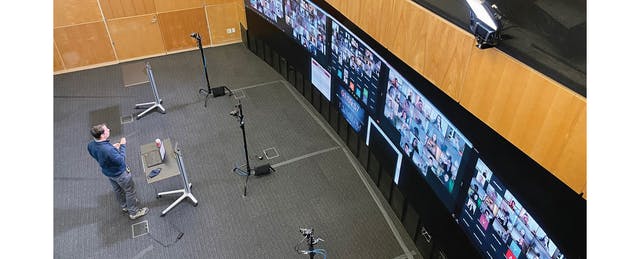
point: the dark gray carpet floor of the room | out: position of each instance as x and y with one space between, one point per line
317 184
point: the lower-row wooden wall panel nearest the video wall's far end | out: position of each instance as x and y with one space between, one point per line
223 16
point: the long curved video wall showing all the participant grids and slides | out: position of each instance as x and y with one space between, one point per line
341 65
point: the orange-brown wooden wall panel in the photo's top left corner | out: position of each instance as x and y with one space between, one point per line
70 12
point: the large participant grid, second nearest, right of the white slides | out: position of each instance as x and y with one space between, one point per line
433 144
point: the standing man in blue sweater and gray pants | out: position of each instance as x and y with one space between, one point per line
111 158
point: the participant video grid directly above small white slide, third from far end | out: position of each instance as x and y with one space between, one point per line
356 66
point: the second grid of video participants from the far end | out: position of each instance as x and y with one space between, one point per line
308 25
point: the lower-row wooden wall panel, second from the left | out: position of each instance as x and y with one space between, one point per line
136 36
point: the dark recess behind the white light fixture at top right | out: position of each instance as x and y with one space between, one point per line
548 35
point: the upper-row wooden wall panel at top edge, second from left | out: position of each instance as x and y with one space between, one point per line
123 8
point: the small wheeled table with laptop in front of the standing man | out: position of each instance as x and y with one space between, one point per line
171 166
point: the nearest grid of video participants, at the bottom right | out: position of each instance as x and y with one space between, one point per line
504 228
